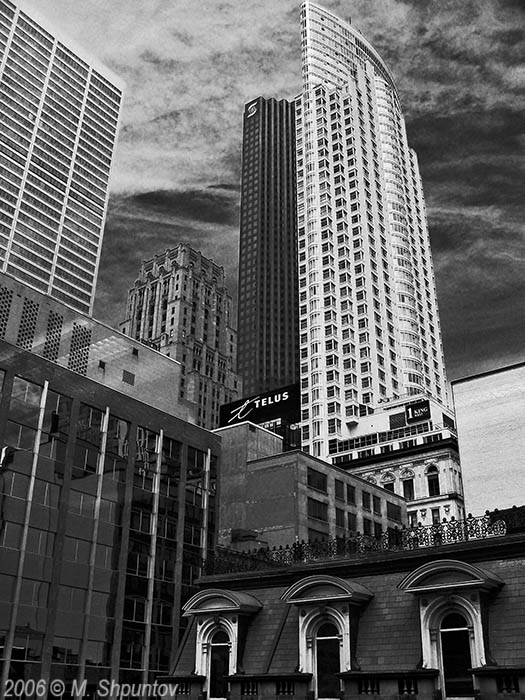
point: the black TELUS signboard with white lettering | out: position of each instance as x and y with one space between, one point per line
282 403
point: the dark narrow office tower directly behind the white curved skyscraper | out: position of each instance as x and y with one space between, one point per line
268 306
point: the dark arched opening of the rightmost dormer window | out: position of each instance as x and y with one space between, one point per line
456 657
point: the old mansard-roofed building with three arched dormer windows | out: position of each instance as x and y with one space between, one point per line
436 617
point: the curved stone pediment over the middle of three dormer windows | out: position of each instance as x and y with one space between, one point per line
324 589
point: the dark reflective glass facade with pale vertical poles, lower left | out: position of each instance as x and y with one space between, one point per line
107 510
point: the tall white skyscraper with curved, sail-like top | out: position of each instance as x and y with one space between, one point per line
369 323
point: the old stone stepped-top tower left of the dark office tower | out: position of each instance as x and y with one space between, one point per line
181 307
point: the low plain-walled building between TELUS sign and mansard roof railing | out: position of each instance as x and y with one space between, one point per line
280 498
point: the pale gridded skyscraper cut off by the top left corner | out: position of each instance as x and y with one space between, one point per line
59 111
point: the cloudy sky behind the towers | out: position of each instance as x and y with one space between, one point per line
189 67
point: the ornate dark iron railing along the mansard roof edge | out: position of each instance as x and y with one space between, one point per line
393 540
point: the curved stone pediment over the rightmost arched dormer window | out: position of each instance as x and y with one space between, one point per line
445 574
